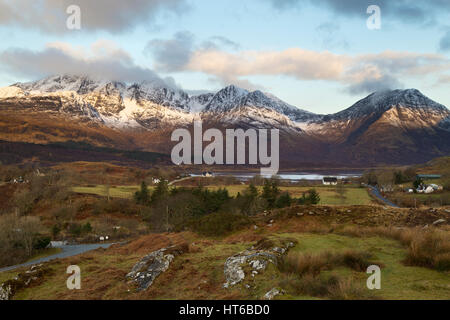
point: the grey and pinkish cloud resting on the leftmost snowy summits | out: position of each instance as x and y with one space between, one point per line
102 60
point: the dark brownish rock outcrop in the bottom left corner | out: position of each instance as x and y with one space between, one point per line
33 276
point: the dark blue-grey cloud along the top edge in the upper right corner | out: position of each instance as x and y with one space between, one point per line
409 11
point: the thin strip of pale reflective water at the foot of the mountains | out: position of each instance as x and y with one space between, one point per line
290 176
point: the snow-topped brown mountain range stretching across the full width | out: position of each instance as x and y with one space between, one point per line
399 126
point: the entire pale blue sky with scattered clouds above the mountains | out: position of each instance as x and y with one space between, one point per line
321 55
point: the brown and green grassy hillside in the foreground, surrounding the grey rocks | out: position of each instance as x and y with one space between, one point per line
317 231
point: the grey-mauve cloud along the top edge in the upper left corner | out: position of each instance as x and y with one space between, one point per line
106 15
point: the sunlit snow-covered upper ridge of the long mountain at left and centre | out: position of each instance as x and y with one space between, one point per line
153 104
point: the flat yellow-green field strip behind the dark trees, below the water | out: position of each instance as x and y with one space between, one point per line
328 195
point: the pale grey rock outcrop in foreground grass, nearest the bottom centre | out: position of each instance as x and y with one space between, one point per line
257 258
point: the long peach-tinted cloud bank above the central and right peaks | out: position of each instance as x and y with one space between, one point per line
358 73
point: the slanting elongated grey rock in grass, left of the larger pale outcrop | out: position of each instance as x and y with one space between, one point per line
154 264
